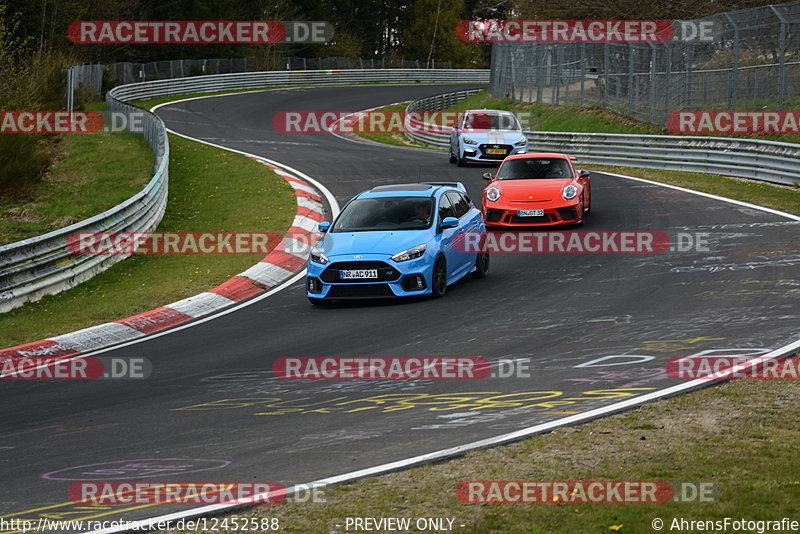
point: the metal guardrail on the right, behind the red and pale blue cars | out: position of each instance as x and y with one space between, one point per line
769 161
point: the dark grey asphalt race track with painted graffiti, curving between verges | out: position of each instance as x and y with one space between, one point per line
559 310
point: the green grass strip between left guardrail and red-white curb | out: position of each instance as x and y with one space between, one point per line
209 190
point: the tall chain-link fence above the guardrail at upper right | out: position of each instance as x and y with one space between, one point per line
751 62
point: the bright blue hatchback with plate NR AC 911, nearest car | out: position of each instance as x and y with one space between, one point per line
396 241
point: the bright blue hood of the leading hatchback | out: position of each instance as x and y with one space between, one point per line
379 242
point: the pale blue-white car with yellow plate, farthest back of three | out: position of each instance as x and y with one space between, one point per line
486 136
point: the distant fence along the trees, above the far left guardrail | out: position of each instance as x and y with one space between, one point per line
89 80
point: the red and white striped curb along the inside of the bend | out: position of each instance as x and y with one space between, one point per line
283 262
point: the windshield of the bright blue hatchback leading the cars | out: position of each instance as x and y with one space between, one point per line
385 213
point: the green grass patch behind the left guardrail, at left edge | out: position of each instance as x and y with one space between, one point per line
90 174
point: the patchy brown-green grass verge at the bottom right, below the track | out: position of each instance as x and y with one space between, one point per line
737 436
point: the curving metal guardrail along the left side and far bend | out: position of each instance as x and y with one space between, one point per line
42 265
